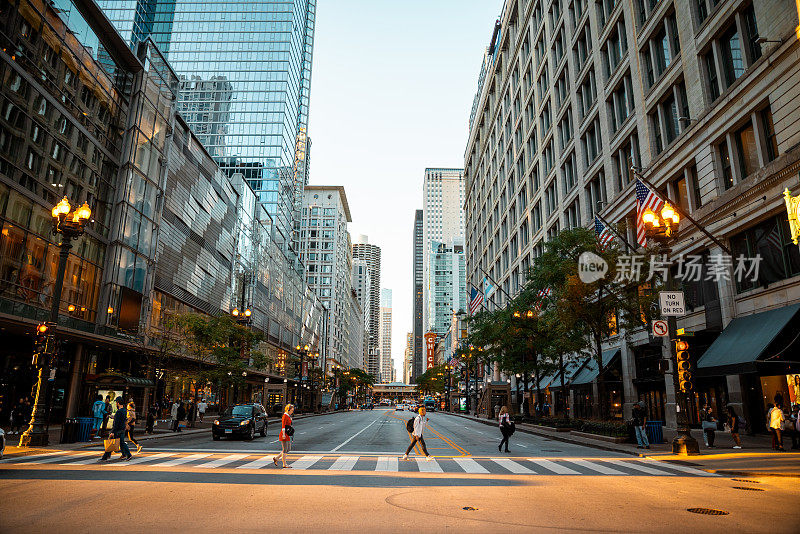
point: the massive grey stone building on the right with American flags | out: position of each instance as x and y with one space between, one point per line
693 94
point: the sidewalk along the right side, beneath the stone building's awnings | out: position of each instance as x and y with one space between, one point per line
756 458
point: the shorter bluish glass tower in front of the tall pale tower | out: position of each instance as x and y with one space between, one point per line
445 289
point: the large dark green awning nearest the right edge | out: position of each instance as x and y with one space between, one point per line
746 338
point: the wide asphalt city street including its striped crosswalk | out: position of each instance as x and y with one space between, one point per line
347 465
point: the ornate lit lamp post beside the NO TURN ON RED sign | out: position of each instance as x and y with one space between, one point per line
659 227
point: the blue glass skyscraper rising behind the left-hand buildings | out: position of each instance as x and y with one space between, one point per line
245 78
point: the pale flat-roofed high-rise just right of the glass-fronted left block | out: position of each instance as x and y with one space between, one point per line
325 251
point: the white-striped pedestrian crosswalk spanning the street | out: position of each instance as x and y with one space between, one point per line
375 463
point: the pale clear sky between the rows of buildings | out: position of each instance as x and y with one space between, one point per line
391 92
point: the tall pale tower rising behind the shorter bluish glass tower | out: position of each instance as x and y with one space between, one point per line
443 222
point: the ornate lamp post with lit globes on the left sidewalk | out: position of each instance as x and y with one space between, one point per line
71 225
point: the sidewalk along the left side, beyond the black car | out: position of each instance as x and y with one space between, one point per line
161 430
